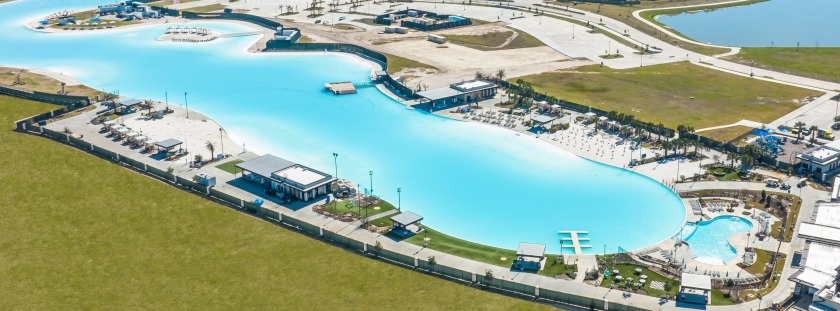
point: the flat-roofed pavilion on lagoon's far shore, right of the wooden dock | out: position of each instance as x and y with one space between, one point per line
457 94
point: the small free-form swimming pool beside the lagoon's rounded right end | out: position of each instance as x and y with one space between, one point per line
710 238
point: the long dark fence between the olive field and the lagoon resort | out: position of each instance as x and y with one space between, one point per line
504 286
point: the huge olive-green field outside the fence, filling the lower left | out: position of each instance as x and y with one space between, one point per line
80 233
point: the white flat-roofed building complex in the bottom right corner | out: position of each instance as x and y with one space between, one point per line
819 268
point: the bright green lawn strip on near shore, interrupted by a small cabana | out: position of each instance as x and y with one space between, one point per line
479 252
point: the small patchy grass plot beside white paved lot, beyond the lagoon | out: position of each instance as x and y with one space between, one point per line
492 41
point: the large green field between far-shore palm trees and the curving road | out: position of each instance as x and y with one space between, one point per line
676 93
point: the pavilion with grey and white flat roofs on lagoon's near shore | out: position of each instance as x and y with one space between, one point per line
285 178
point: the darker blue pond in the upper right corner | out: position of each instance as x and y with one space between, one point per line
772 23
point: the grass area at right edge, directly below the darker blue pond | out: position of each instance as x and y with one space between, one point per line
818 63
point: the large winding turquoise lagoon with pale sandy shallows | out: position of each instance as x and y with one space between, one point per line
473 181
